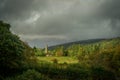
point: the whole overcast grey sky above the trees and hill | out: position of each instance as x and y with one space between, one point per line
41 22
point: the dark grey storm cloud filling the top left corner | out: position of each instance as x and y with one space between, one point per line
19 9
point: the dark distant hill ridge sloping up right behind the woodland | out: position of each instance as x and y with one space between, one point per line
83 42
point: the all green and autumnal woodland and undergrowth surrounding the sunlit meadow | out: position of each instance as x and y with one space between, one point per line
96 61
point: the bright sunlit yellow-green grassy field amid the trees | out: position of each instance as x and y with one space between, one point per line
50 59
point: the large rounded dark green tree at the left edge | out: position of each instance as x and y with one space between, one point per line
11 49
